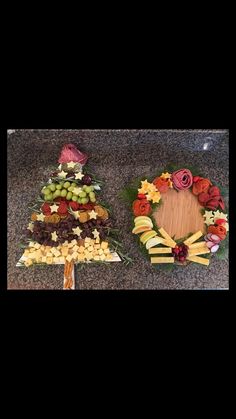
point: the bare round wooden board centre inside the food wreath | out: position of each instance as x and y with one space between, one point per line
179 213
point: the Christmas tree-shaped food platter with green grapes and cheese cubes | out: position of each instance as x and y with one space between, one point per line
68 224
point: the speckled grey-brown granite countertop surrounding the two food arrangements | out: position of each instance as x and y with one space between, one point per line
117 156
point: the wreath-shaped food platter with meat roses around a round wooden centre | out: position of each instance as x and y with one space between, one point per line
179 218
